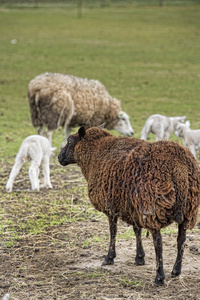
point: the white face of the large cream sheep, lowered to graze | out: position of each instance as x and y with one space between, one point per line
123 124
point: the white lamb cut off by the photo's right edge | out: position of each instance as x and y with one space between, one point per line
191 138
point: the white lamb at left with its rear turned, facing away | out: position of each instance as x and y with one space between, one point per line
38 150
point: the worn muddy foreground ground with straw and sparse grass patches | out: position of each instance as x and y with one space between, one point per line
63 260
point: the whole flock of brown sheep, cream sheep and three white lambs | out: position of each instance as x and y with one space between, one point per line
147 185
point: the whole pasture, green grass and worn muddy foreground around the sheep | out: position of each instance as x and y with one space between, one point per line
52 243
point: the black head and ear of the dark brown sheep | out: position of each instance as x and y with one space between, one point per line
66 155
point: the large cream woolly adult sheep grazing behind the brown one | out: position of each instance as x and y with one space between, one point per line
69 101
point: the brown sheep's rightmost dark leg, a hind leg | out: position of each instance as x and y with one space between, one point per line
180 246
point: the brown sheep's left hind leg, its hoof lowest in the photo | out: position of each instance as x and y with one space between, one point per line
157 240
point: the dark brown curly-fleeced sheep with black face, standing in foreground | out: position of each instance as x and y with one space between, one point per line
149 186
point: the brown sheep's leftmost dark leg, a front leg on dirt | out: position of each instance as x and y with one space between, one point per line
109 259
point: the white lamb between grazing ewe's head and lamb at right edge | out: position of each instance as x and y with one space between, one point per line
161 126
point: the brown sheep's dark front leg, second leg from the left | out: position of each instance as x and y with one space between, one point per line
139 259
